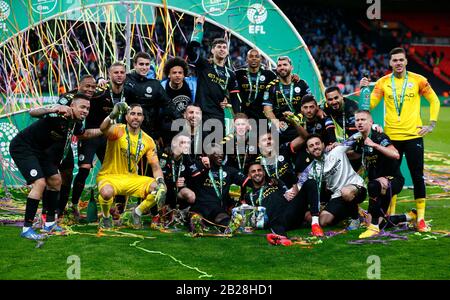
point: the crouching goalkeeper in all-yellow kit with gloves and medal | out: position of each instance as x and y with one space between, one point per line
126 145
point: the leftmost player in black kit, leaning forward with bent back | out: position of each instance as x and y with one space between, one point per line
38 151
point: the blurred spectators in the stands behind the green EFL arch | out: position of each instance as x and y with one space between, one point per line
341 54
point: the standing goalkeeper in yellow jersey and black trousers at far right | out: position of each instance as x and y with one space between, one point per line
401 91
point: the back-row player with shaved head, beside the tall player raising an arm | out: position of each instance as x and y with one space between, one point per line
252 82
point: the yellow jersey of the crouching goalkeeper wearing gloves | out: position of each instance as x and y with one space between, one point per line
124 150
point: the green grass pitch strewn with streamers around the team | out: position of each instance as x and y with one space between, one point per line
244 256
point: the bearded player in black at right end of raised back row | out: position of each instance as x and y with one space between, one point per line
284 95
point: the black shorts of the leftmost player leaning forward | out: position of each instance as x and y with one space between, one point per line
33 164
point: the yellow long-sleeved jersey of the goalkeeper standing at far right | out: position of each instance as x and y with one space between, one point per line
404 127
